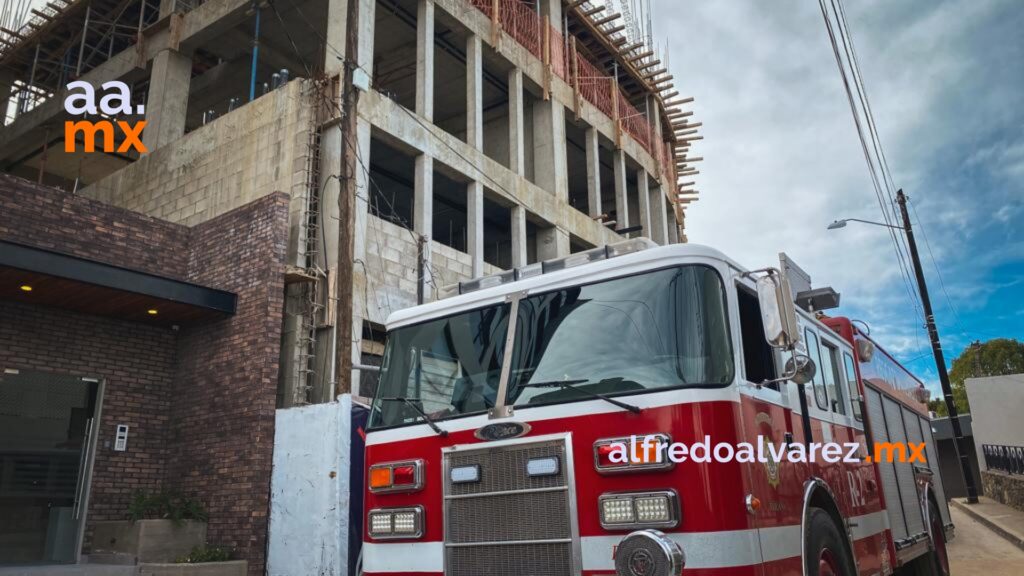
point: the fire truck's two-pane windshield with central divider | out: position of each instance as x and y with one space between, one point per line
651 332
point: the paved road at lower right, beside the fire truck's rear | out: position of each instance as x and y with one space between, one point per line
978 551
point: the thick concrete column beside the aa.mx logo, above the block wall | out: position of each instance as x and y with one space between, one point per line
168 99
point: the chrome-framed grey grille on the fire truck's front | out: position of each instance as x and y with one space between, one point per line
509 523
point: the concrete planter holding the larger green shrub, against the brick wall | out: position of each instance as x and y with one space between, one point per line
148 541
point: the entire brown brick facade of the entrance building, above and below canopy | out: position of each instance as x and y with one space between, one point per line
200 400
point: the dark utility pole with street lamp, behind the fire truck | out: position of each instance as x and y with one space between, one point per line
941 363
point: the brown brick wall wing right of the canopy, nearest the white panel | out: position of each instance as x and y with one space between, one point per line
223 410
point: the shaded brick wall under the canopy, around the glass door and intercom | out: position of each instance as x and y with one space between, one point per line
137 364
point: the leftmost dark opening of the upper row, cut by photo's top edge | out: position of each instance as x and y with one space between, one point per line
395 52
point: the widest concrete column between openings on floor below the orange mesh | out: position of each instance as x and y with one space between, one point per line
550 164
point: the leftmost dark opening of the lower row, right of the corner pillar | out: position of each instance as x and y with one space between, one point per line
392 184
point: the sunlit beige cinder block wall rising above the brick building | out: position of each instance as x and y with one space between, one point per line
257 150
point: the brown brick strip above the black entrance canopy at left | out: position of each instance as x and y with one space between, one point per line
54 220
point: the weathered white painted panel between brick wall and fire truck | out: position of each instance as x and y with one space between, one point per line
309 533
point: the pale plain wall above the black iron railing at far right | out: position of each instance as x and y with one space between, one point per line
997 412
